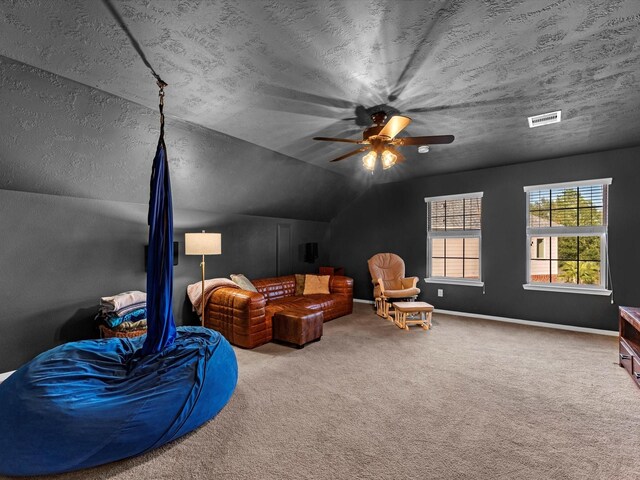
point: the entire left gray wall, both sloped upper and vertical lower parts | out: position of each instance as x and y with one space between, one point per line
75 165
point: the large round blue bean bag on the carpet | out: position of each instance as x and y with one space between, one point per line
95 401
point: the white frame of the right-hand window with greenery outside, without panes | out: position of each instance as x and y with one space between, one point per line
573 231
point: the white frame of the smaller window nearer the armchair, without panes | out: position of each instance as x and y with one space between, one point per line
444 234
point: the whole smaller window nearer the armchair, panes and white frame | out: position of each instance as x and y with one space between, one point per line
454 239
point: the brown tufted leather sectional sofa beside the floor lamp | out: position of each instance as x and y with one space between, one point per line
244 317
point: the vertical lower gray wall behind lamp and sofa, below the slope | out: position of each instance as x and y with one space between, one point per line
59 255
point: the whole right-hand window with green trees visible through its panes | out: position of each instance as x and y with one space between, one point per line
567 237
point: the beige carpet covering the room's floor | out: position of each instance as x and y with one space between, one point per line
470 399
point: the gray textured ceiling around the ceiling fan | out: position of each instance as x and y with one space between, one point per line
276 73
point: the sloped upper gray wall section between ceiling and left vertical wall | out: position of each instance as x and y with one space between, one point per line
64 138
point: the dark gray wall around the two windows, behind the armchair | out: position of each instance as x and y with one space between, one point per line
392 218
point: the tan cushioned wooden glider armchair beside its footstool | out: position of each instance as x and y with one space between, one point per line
389 282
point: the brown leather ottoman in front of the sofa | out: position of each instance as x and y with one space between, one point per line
297 326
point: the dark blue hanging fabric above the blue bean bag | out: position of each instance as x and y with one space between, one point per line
161 329
